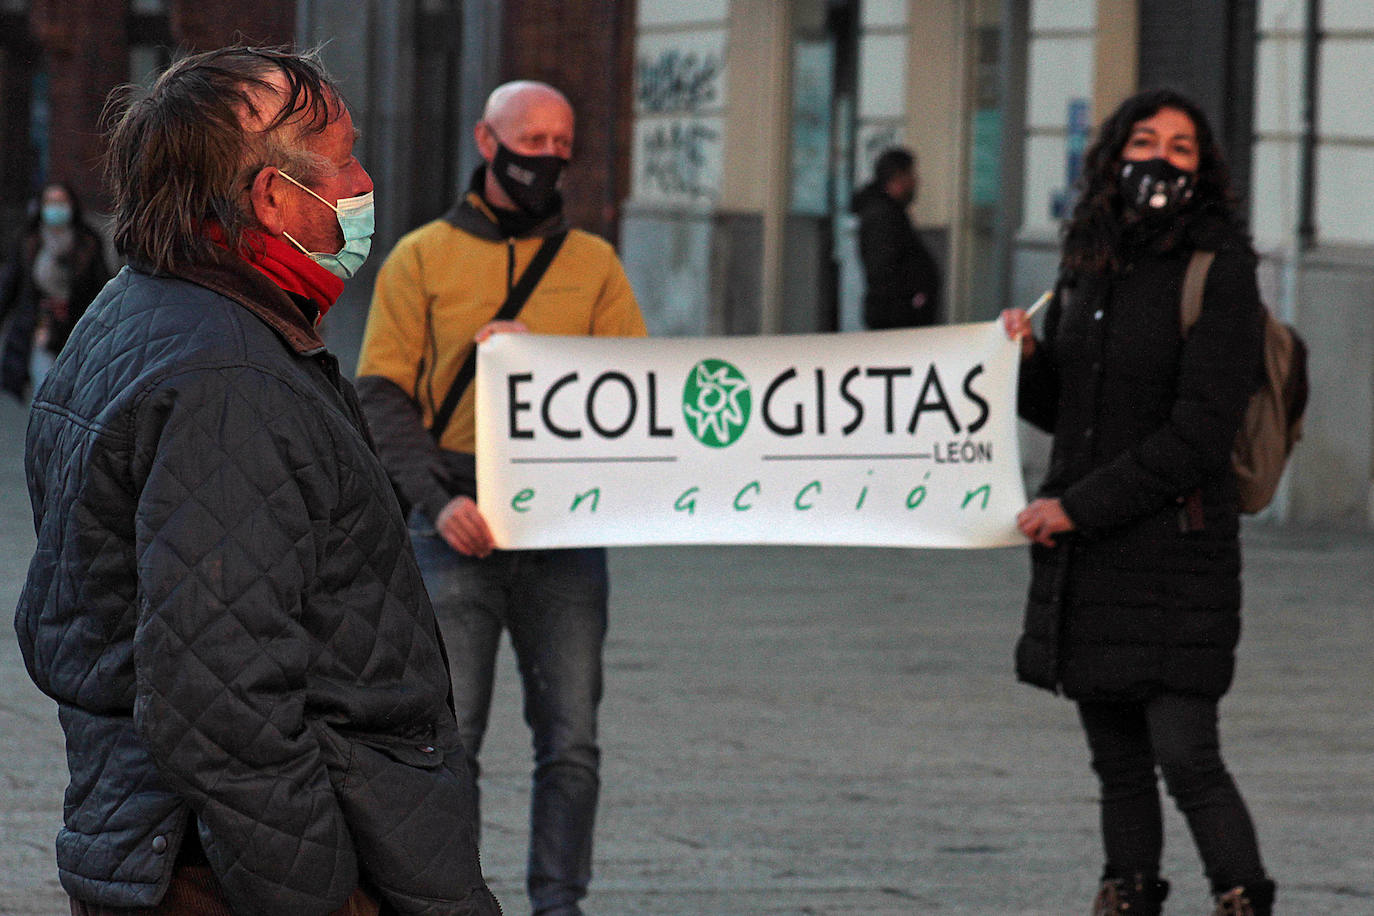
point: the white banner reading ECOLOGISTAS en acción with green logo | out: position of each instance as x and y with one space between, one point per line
894 439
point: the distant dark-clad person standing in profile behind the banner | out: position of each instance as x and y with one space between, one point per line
903 282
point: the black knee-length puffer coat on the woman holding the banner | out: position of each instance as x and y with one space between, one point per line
1147 595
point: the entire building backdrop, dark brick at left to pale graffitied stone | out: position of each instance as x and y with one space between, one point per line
719 142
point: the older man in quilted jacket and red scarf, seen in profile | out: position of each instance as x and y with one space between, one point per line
223 601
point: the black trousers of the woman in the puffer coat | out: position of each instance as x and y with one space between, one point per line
1175 735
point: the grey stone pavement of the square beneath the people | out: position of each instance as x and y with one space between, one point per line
837 731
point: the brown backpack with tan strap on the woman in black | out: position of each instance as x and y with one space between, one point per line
1273 421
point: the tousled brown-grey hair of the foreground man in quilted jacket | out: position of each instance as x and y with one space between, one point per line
183 154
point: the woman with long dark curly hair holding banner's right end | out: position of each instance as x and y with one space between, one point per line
1136 591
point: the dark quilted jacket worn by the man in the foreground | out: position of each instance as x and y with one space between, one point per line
225 606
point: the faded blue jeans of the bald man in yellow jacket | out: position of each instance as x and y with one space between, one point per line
553 604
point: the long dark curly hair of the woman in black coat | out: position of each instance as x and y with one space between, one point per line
1093 238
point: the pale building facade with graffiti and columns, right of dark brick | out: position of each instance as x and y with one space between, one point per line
756 119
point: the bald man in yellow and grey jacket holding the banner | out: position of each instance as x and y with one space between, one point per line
440 288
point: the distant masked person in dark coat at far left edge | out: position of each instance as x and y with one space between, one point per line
54 271
